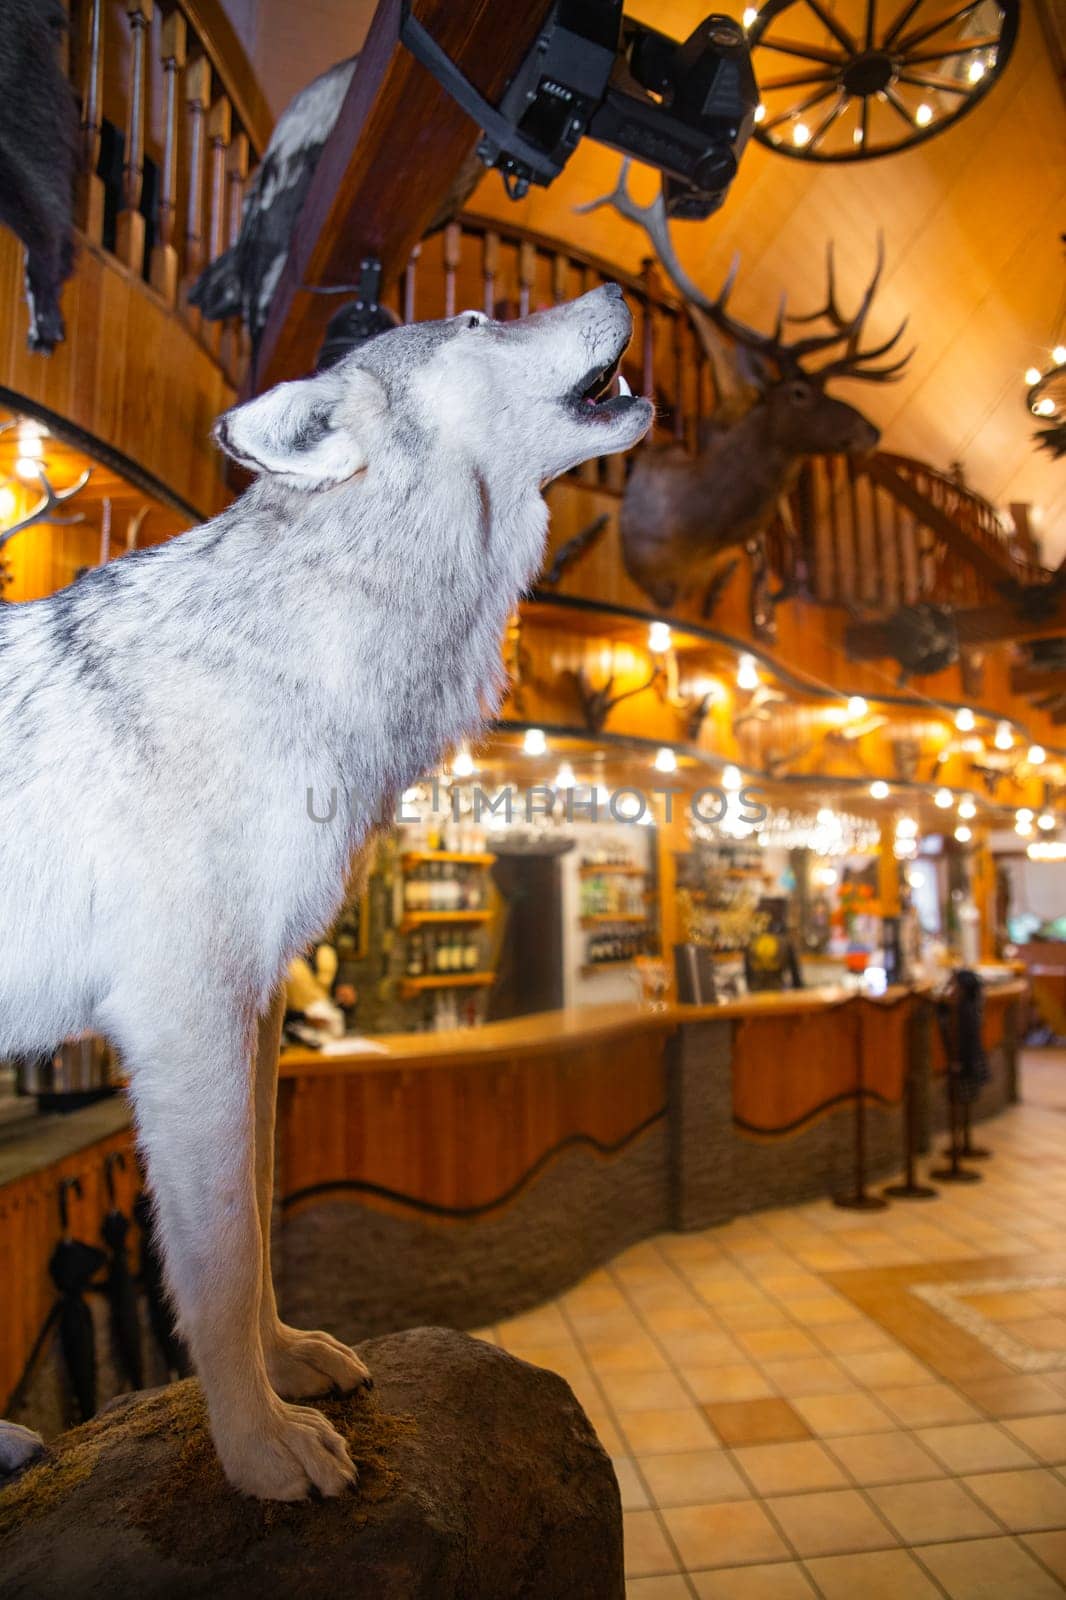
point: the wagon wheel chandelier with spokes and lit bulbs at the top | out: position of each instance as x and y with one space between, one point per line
843 84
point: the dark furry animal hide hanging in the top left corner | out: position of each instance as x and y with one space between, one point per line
38 158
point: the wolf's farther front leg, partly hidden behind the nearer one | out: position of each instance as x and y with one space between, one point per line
299 1364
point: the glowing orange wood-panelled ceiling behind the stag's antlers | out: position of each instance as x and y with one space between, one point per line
972 225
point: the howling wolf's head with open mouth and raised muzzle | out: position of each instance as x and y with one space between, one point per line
534 398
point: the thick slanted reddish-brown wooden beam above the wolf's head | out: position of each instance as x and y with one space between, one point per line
396 151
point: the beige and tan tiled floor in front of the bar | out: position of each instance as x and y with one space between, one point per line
791 1420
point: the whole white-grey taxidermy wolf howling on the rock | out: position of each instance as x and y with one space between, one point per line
164 722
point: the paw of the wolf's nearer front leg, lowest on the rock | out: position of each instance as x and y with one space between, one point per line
292 1452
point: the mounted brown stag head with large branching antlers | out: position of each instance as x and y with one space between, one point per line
681 513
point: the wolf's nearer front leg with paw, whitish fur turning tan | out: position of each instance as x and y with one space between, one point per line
194 1105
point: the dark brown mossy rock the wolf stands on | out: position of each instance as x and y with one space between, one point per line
479 1479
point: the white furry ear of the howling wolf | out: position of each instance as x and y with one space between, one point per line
315 431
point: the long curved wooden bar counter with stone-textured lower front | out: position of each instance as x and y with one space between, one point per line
467 1177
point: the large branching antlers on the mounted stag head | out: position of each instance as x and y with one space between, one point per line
788 358
